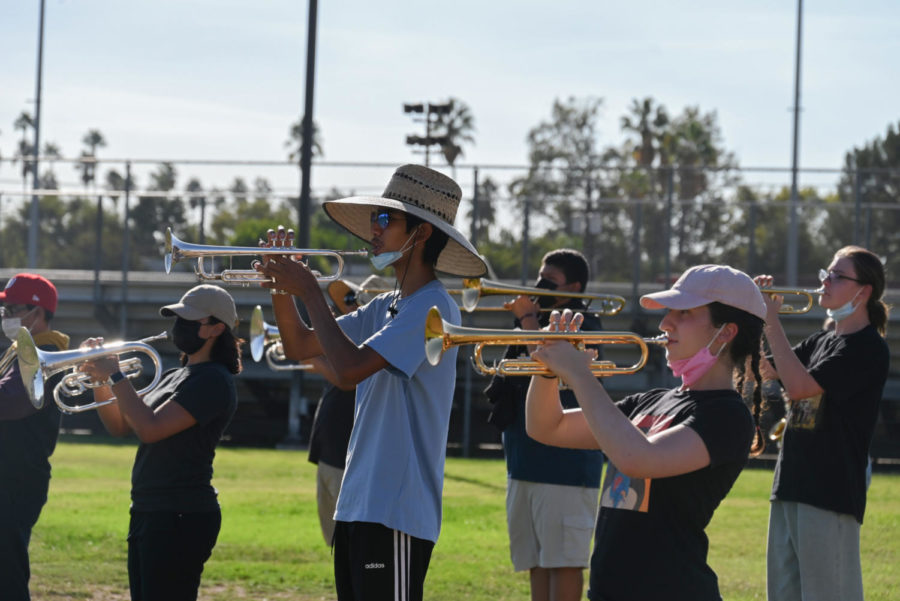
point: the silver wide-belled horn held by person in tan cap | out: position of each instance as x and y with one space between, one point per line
37 366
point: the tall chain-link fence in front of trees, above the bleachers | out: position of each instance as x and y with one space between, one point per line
638 225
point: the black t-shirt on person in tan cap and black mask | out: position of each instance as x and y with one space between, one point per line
174 474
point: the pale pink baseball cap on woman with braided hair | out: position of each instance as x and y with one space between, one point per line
704 284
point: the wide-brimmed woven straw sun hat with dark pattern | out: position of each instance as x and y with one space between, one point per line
425 193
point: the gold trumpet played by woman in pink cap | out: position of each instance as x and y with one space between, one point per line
441 335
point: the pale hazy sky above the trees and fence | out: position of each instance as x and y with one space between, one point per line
224 79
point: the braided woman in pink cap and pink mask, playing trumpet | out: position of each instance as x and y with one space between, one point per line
673 453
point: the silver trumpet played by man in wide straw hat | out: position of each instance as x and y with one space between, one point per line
177 250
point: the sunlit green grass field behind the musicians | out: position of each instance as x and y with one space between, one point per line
270 546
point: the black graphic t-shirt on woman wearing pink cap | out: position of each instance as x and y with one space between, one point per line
650 542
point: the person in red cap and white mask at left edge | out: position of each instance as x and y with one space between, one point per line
27 434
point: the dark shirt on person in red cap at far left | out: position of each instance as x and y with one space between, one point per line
27 443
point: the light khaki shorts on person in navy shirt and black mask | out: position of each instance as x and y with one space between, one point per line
550 525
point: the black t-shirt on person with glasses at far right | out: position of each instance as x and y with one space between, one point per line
826 442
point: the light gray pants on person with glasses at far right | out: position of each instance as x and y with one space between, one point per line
812 554
